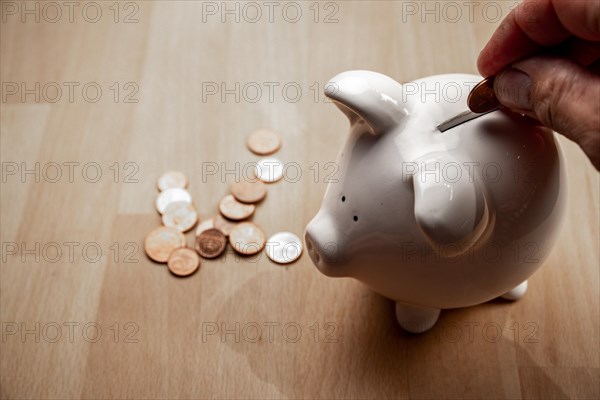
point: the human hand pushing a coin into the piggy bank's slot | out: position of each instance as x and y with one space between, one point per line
560 87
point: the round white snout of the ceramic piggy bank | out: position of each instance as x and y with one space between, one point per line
324 245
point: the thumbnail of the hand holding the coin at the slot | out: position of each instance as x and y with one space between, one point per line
513 88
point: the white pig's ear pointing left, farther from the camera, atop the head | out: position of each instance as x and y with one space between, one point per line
368 97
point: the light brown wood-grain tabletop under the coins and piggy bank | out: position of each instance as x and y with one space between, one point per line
102 98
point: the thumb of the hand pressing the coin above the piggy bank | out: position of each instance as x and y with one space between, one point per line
560 94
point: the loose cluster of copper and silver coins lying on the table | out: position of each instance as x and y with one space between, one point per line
167 243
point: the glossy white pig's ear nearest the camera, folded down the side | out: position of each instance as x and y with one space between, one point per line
450 208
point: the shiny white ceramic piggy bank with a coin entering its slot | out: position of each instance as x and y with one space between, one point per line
436 220
